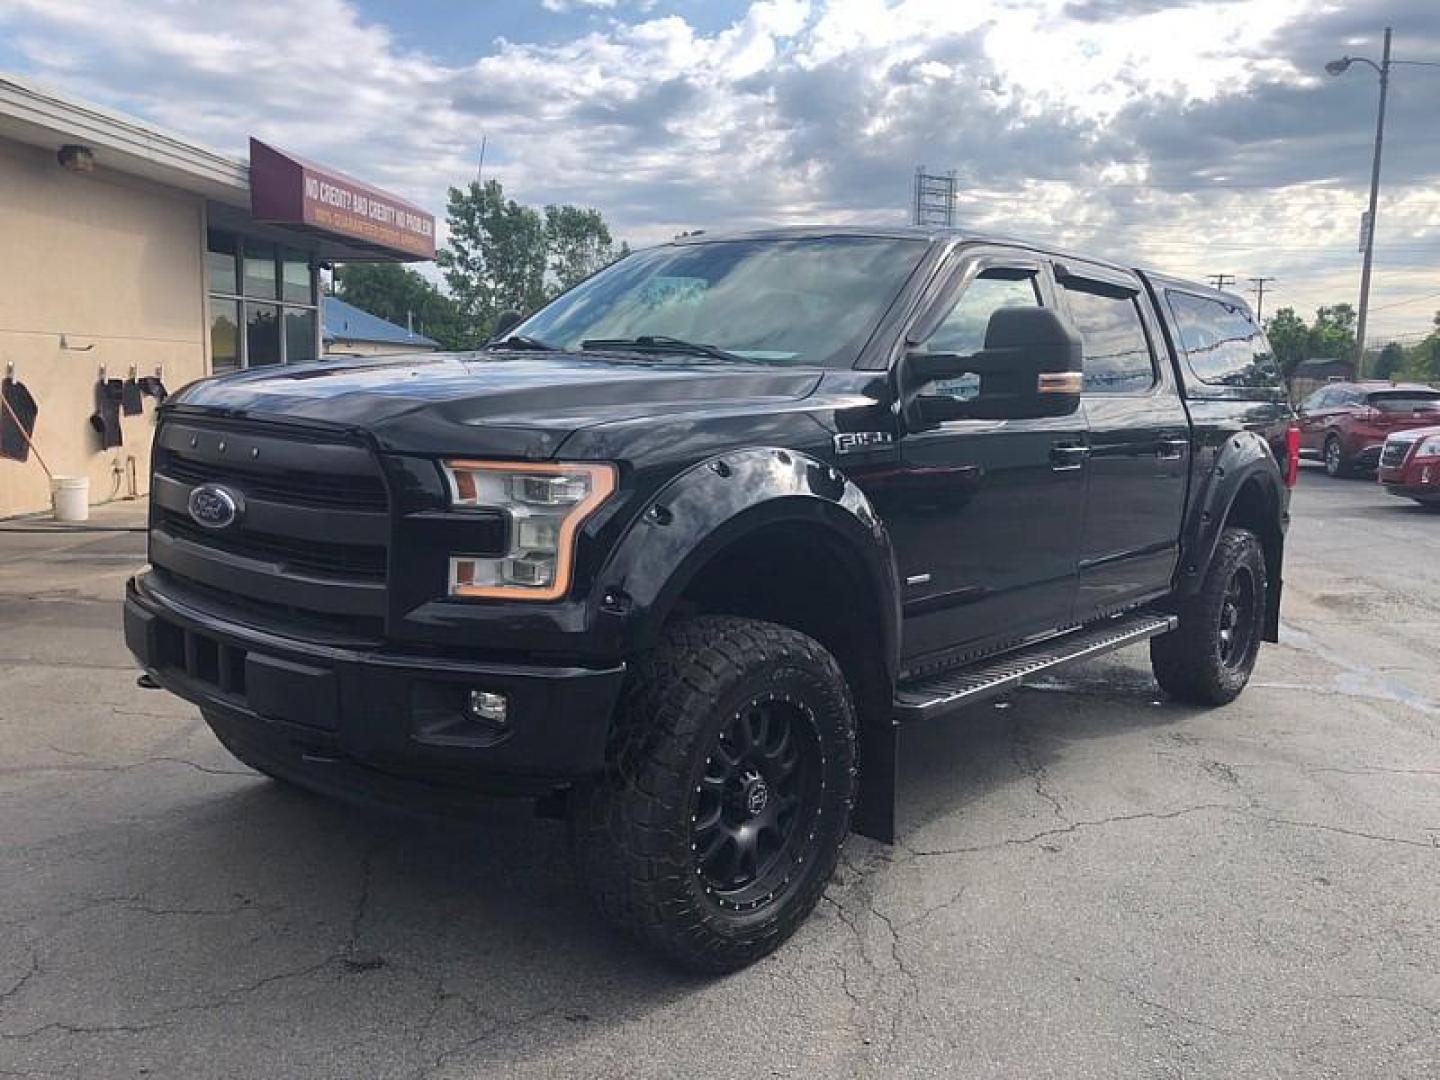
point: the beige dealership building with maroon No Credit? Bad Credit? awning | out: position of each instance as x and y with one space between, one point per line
133 263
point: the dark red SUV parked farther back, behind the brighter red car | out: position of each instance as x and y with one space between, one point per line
1346 426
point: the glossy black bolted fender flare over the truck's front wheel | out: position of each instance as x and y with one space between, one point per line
714 505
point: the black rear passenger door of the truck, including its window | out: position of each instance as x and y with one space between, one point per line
1138 443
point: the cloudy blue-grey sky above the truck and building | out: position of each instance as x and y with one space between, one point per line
1199 136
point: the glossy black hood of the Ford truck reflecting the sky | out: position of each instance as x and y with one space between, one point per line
506 404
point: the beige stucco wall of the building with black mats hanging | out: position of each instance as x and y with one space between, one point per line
114 267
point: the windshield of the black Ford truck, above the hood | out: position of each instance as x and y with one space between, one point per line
806 302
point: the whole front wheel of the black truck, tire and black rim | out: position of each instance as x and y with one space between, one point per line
728 793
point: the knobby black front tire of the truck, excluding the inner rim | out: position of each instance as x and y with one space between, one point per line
634 832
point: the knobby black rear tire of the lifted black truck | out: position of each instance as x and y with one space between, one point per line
1192 663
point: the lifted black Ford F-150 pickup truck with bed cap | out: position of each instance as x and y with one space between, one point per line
683 554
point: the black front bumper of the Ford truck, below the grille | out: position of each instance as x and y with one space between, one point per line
369 724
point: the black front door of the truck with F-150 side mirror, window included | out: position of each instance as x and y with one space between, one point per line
986 515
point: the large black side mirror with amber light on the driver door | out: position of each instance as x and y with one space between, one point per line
1030 368
